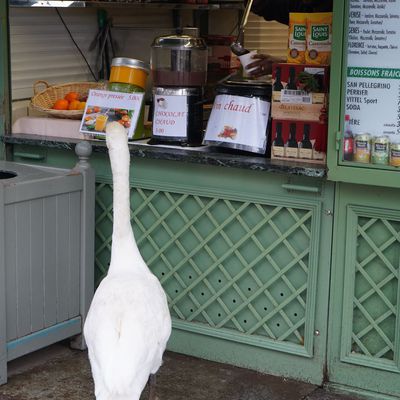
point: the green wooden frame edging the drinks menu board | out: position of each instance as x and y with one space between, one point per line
339 170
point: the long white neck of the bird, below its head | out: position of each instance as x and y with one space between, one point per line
124 251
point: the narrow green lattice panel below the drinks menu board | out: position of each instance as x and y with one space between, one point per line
376 288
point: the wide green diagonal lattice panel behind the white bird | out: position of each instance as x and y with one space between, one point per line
227 265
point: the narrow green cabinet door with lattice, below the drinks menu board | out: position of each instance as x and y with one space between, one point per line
364 330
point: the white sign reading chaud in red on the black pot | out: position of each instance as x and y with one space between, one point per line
238 122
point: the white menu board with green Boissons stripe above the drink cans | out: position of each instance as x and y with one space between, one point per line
372 92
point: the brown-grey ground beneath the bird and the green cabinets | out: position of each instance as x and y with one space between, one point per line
58 372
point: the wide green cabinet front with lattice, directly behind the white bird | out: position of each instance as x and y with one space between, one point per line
244 258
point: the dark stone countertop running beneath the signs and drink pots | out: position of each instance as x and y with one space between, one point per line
200 155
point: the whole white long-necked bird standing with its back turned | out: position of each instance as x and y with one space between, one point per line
128 324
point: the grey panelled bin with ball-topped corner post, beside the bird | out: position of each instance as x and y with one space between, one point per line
46 255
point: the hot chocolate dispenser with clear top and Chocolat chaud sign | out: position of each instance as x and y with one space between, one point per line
179 72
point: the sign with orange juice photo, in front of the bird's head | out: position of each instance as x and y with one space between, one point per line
103 106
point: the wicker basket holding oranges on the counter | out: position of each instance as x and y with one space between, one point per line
43 100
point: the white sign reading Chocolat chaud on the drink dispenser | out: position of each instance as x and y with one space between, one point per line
170 116
